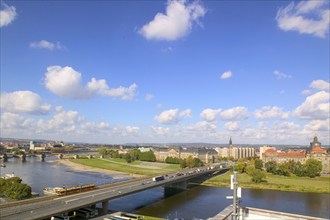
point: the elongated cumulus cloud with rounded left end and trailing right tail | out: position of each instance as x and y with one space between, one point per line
66 82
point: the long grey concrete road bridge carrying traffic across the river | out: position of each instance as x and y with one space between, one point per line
47 206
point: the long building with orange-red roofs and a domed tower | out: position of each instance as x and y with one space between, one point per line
315 152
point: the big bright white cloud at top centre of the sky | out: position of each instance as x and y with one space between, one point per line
176 23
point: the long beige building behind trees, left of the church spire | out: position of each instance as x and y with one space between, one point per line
204 154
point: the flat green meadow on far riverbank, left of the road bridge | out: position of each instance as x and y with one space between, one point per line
136 167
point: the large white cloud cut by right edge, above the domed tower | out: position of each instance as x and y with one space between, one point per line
315 107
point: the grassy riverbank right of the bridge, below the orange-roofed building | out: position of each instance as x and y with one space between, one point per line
275 182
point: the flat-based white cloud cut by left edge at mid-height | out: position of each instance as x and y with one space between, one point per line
23 102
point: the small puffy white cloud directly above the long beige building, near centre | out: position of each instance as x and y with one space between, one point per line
172 116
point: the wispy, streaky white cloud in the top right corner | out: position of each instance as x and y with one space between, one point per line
307 17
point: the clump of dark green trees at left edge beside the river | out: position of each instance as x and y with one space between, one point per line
14 188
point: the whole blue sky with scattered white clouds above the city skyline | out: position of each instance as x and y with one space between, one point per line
116 72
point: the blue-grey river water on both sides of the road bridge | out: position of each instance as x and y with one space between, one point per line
199 202
